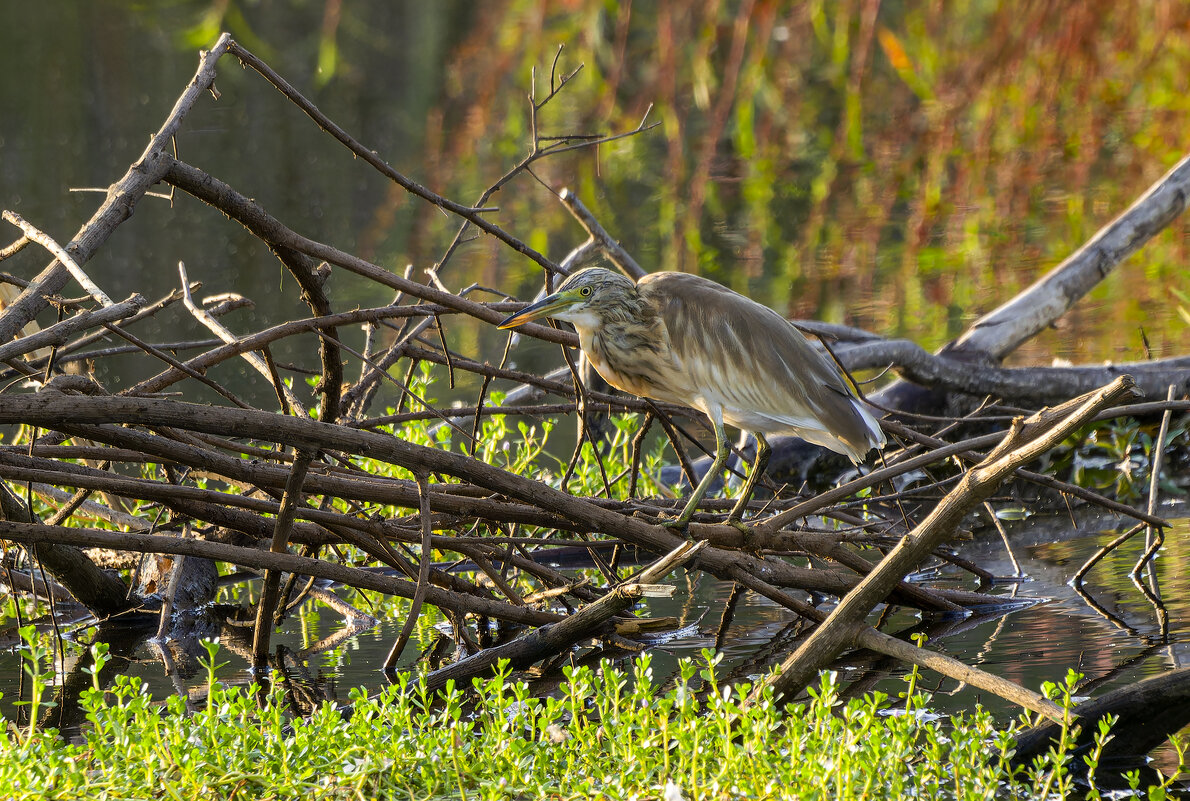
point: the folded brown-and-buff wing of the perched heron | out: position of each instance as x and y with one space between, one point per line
756 366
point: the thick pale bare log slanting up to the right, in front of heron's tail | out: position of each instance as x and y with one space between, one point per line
1025 442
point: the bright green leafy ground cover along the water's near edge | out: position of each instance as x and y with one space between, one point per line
604 735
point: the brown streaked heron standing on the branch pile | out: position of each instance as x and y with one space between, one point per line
681 339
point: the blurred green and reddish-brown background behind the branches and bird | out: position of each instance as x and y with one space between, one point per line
904 167
